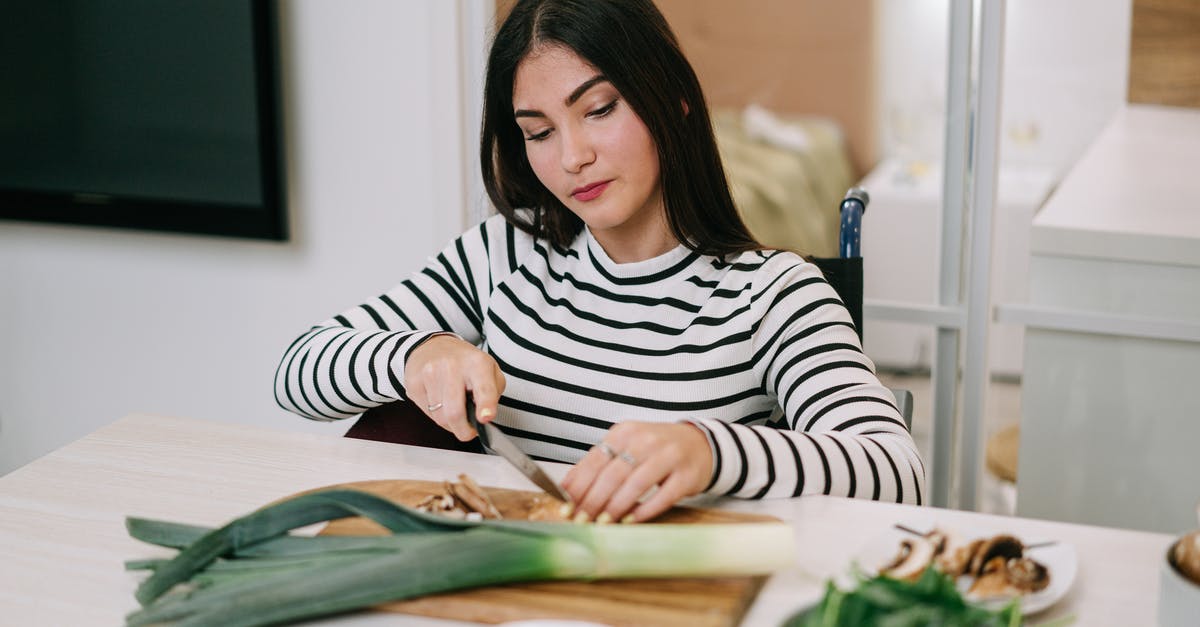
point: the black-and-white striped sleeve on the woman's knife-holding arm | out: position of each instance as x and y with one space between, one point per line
356 361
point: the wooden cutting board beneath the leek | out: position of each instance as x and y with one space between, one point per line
617 602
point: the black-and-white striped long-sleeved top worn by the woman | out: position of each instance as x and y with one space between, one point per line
758 351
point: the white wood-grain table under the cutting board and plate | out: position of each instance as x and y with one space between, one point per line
63 540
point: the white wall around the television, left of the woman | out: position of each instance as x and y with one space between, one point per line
97 324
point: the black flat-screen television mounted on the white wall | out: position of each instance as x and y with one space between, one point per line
145 115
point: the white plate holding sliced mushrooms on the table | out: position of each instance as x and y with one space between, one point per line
1059 559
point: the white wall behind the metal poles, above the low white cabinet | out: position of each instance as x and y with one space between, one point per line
1066 65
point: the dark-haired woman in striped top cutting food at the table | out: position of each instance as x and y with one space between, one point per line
617 314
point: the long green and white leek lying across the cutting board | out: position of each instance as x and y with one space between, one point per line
253 572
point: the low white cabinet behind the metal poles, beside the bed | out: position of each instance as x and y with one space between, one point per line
902 231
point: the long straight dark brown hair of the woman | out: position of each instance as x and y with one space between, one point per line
632 45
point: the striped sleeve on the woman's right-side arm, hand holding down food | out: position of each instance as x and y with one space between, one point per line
843 434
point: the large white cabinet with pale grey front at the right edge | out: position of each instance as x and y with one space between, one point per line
1111 428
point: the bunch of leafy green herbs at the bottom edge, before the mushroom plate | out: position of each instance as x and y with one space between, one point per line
886 602
